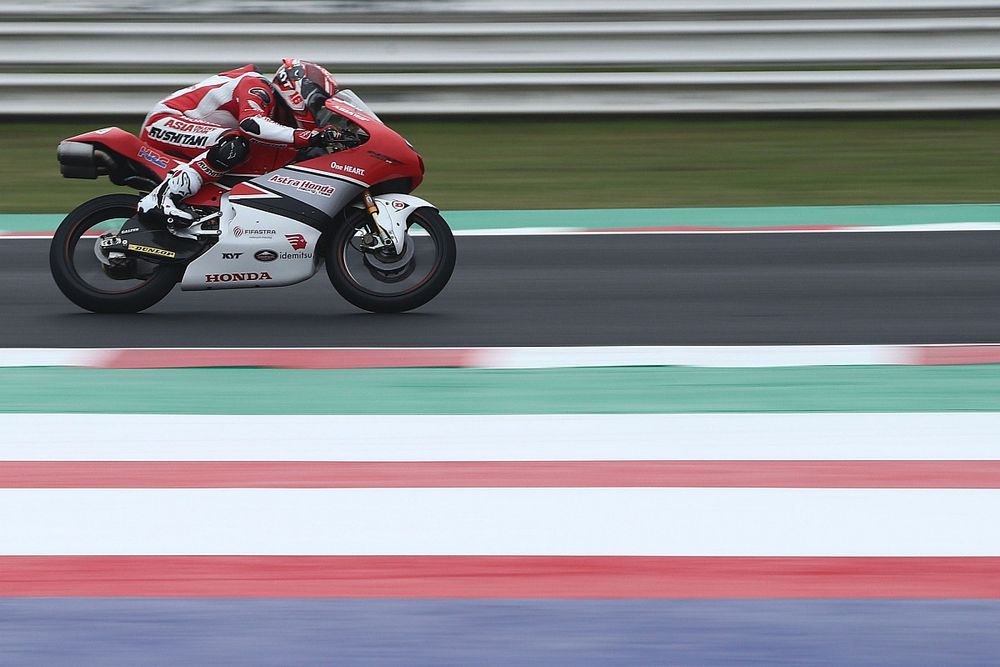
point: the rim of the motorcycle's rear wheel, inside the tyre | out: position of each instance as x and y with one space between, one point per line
91 273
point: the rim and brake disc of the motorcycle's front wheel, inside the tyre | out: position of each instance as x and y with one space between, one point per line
389 275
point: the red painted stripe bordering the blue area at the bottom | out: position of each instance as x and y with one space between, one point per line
498 577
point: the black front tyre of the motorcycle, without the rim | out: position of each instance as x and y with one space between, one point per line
340 248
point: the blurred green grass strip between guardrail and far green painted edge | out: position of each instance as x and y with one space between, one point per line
617 163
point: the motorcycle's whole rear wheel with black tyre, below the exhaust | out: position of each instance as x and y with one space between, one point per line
79 291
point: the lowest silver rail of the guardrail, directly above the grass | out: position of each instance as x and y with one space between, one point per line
566 93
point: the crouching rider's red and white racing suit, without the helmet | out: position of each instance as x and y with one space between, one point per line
225 121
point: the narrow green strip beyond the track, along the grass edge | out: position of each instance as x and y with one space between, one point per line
721 218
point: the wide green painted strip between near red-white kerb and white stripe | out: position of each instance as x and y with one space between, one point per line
477 391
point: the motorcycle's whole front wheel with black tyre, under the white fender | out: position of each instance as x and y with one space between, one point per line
383 281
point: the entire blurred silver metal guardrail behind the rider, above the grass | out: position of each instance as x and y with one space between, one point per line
544 66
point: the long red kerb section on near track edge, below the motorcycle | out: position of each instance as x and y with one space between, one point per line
317 358
